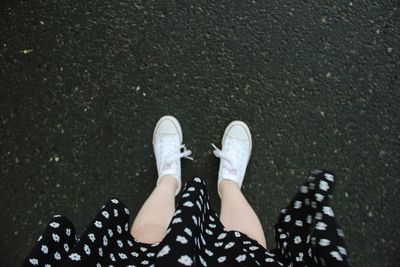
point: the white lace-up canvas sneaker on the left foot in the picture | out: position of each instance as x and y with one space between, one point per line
167 146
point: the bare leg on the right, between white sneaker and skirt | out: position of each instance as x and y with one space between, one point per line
237 214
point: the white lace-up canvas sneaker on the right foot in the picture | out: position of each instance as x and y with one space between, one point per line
235 153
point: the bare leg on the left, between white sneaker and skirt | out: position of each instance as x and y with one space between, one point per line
151 223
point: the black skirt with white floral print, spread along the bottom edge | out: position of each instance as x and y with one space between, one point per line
306 234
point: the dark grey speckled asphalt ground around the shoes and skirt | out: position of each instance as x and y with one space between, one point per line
82 84
